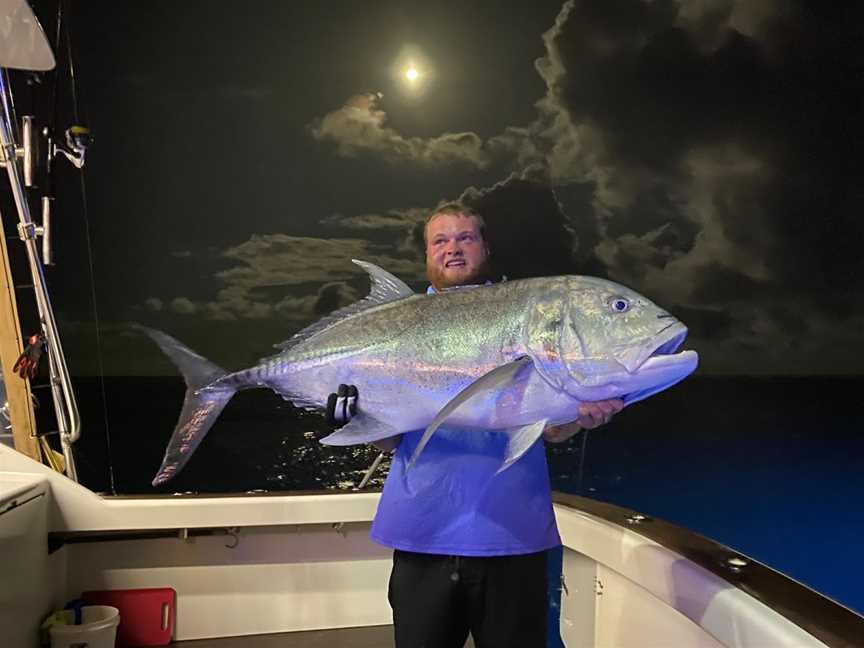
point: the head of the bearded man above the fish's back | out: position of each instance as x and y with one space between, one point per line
456 254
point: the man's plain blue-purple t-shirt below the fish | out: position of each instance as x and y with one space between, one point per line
452 502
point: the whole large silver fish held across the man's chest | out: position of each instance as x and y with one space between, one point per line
515 356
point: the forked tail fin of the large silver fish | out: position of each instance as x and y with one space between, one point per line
208 390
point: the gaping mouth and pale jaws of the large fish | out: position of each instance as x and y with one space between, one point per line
664 365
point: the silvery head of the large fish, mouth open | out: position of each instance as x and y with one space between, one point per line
616 343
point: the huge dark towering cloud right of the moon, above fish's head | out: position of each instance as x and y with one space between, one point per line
718 142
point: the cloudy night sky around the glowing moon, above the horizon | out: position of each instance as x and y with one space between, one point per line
707 154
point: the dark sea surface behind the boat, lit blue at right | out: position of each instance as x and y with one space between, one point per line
771 467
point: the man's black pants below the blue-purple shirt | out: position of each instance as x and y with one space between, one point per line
437 599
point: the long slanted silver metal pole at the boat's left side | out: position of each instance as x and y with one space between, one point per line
68 418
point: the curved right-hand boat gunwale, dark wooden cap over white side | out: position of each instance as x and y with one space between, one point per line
735 594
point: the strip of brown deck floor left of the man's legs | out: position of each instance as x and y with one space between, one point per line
368 637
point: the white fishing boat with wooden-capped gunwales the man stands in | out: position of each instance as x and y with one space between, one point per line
296 568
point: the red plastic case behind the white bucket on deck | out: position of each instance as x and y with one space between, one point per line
146 615
